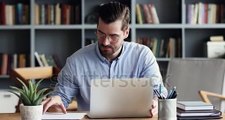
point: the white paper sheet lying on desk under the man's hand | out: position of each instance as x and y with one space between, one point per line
55 116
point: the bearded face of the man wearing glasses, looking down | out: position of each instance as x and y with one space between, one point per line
110 38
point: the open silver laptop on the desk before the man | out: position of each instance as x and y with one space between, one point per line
119 98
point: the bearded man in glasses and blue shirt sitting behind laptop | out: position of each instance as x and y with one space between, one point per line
110 57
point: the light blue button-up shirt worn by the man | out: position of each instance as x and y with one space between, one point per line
135 61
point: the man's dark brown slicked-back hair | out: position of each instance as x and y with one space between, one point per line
112 11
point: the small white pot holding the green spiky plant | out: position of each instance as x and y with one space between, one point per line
31 112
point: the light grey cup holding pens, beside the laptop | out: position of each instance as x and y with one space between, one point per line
167 109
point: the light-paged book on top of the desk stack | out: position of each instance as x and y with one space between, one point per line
194 105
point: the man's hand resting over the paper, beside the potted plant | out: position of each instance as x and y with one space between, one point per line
55 102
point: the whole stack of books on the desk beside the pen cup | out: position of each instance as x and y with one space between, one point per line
196 110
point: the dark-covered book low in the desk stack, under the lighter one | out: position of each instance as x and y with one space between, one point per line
185 113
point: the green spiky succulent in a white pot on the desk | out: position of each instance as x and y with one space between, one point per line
31 97
